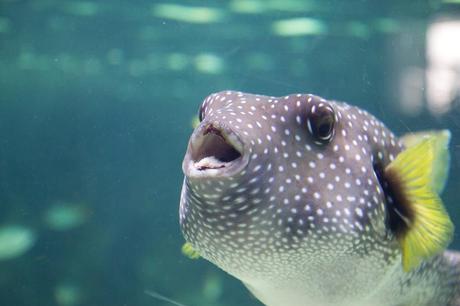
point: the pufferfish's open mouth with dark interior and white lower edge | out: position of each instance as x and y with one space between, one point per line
213 150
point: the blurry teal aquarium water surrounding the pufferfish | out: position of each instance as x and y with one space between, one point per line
97 100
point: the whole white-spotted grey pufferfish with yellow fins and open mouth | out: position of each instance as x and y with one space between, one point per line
312 202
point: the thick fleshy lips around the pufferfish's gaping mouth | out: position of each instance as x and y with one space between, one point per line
210 136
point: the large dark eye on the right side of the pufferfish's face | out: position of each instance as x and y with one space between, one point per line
321 122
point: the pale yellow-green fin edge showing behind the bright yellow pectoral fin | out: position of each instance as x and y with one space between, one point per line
441 159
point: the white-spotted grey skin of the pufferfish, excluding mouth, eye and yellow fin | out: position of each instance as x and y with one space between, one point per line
303 222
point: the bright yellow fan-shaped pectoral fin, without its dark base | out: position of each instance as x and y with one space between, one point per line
429 228
